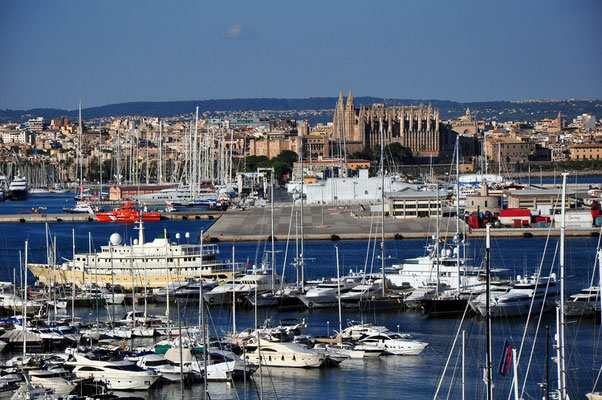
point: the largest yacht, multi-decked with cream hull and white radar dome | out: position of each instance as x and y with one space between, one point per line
142 264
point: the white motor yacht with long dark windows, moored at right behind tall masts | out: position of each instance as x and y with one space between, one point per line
516 300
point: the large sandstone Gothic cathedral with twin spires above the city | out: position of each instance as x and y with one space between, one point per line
415 127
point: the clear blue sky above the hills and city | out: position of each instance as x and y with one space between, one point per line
55 52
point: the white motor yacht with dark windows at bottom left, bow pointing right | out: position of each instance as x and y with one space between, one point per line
116 373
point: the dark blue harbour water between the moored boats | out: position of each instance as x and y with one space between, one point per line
390 377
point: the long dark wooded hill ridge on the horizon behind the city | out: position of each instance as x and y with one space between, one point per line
495 110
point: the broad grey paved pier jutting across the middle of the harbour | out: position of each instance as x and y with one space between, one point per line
351 222
